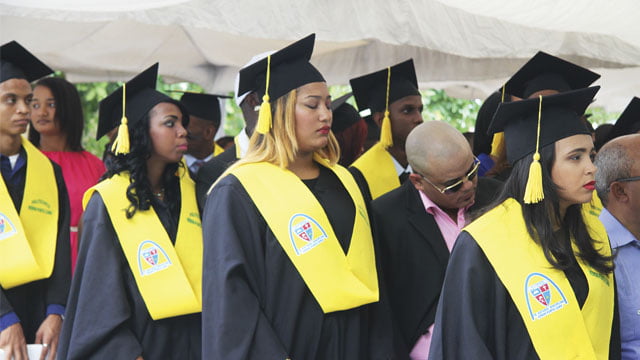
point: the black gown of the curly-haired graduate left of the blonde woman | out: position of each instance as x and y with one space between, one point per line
106 316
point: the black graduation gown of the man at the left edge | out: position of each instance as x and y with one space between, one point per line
29 301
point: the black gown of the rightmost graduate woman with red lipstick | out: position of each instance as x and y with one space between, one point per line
476 317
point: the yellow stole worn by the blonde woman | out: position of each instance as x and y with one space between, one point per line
298 221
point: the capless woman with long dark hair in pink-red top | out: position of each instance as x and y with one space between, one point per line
56 129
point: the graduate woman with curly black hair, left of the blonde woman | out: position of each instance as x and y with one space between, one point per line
137 289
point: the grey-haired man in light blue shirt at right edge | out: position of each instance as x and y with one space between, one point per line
618 186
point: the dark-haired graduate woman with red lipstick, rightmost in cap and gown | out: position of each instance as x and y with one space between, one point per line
532 277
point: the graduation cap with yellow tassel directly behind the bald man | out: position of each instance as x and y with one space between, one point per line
375 91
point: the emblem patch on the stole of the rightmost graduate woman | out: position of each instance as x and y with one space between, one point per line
543 296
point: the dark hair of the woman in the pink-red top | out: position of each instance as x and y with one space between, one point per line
68 112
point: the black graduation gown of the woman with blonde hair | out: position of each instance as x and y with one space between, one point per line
255 303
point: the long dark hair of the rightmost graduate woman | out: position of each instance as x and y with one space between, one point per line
540 218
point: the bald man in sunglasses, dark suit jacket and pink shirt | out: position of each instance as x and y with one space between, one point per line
417 225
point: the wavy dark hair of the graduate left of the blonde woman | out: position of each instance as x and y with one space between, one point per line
139 192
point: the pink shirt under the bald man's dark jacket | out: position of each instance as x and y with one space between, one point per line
450 231
